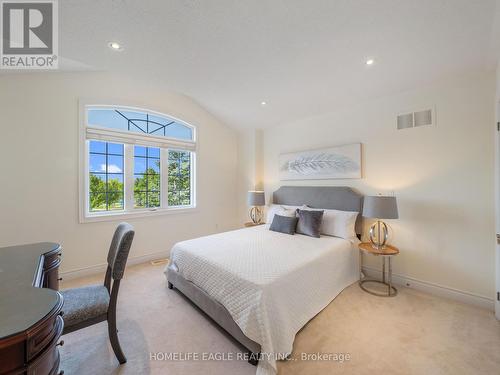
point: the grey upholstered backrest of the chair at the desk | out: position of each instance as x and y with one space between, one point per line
119 249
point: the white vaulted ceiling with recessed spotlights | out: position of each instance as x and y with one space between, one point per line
302 57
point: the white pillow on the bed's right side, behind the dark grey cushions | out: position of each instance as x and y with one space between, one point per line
337 223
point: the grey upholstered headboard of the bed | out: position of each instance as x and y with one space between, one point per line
331 197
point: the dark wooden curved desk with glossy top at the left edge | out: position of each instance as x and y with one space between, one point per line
30 309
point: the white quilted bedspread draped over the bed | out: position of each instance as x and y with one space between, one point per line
271 283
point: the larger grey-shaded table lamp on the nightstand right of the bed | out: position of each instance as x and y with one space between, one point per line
380 207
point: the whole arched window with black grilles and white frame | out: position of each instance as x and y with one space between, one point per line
135 162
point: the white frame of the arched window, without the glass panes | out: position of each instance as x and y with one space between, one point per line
129 140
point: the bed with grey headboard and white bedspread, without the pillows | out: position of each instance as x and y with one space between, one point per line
262 287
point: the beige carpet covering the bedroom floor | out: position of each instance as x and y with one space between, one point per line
413 333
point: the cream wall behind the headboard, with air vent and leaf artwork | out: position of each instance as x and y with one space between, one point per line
442 176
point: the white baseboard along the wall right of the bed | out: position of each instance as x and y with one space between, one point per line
435 289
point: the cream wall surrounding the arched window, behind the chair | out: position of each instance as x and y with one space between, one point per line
39 166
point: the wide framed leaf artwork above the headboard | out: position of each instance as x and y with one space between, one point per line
328 163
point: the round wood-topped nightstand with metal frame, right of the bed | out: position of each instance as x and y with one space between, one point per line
386 253
